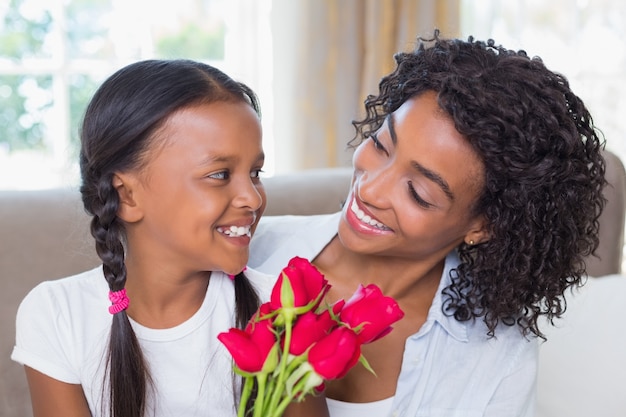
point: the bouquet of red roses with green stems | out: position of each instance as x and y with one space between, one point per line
294 342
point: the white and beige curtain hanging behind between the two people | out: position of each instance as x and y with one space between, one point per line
328 56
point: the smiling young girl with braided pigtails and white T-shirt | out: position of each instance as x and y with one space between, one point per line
170 161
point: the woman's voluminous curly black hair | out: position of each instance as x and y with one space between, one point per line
544 174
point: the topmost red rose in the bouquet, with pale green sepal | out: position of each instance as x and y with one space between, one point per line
299 284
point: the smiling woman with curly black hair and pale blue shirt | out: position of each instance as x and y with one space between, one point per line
476 194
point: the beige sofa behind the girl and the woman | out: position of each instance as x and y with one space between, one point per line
44 235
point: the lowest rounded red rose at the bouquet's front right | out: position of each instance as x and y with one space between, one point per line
334 355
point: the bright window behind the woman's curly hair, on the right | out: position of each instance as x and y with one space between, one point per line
584 40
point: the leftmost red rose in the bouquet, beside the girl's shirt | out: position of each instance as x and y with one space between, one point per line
255 349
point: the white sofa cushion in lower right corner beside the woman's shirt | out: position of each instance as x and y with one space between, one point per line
582 365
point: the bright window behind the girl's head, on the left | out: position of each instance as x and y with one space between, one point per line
55 53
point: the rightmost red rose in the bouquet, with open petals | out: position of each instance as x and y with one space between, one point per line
368 306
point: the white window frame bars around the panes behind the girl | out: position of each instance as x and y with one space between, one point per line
247 59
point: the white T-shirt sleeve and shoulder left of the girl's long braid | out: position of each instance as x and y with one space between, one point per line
63 324
